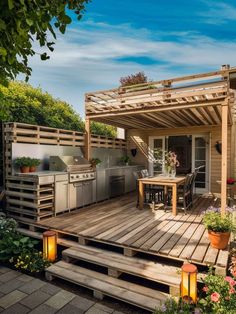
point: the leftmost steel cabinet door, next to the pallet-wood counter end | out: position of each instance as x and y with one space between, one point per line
61 196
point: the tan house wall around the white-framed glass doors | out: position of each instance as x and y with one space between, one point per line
215 157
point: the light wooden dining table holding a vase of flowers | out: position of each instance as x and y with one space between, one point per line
161 181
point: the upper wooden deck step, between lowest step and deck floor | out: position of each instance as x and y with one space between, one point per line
117 264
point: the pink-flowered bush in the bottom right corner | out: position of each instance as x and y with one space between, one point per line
219 294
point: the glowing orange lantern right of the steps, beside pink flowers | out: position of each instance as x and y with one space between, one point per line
189 283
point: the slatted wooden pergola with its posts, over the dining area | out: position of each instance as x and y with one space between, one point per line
197 100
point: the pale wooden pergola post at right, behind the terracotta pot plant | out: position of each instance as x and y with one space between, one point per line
224 137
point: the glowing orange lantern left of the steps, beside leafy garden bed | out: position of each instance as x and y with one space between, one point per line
50 245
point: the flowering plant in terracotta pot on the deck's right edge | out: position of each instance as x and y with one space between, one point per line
219 227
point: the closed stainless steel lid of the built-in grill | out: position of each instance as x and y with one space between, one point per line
69 163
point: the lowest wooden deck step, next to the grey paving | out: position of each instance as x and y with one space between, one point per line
101 284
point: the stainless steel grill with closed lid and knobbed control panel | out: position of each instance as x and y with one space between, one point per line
78 168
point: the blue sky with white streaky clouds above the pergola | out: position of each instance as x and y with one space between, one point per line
119 37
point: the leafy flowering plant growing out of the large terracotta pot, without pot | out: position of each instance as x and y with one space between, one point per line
214 221
